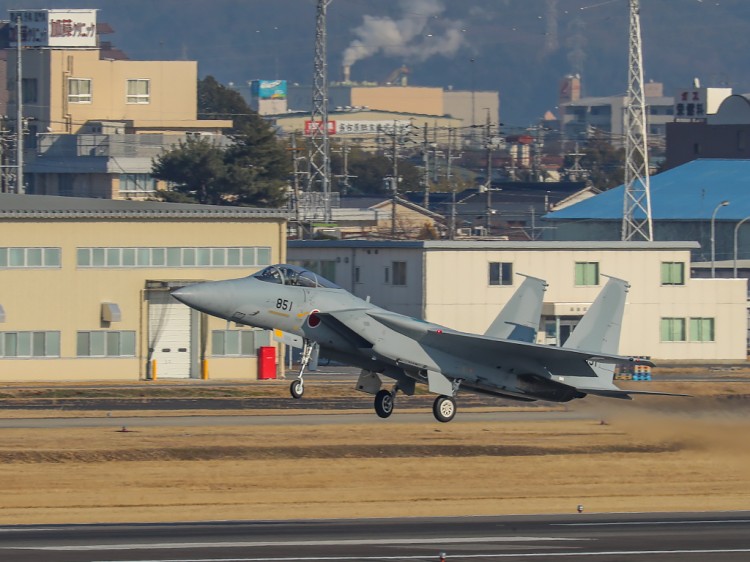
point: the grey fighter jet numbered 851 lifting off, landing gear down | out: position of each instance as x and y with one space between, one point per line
311 312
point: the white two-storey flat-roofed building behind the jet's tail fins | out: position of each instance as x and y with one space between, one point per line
669 315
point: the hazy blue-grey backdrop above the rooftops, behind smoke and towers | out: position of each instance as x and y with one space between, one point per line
520 47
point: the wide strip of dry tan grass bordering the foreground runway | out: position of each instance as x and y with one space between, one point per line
653 455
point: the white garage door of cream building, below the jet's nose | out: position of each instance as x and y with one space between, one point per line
169 335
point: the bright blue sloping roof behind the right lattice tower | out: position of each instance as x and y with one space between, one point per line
689 192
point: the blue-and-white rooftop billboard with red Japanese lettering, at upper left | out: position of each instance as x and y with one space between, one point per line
54 28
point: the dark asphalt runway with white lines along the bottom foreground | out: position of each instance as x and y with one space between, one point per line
718 537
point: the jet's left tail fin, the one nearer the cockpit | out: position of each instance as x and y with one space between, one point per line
519 318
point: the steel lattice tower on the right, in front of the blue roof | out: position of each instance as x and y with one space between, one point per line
636 216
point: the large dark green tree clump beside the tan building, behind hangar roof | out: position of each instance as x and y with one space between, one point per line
251 171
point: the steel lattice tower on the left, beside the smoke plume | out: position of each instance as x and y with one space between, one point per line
320 150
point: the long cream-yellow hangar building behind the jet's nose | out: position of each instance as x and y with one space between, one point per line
86 287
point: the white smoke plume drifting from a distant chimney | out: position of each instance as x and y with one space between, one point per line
418 35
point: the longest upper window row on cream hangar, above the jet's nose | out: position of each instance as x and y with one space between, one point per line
172 257
